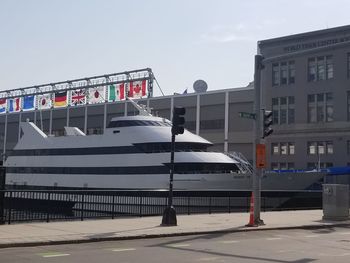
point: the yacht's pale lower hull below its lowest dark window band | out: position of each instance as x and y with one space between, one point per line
229 182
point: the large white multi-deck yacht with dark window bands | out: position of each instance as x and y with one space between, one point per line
132 153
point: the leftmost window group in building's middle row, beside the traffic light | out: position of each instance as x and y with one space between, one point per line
283 110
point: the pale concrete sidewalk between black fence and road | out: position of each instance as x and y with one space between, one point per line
129 228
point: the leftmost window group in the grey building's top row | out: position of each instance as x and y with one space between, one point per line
283 73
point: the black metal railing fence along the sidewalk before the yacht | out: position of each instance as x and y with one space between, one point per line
53 205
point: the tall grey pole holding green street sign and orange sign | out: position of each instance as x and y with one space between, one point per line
257 134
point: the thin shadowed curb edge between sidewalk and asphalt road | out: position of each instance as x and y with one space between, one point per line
102 239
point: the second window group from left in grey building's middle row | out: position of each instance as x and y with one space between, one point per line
320 107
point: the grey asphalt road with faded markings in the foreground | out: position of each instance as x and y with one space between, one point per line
302 246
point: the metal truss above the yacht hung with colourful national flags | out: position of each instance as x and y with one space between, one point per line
136 84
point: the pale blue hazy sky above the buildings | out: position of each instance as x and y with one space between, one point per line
45 41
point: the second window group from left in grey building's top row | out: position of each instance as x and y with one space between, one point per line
320 68
